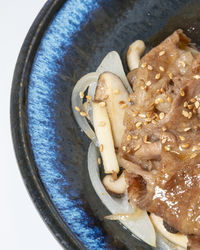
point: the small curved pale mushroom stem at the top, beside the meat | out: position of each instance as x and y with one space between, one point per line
134 53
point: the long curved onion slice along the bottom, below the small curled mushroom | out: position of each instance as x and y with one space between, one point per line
140 226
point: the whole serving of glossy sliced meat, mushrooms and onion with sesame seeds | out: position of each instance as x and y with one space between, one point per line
146 126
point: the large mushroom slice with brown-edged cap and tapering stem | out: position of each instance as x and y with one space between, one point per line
111 90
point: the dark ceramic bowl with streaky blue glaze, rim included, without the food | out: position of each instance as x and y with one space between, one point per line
67 40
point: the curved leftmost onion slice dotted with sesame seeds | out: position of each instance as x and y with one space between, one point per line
82 85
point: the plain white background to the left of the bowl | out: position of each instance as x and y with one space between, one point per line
21 227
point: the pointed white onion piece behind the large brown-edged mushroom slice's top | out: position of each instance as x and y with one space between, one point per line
112 63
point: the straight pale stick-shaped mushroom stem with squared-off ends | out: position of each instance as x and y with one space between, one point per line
104 135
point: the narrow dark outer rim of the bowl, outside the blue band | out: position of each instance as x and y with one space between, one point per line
19 128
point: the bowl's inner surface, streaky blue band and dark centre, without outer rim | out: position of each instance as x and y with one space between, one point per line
79 36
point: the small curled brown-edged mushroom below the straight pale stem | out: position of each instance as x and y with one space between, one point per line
115 186
